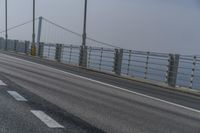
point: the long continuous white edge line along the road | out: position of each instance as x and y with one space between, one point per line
102 83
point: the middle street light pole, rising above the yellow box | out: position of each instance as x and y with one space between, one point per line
33 47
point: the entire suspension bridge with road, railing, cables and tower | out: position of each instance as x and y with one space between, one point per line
98 88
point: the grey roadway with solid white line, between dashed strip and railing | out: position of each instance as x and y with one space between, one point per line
106 102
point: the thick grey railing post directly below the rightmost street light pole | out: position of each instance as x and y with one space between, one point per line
83 56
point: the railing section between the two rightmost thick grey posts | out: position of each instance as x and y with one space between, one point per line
147 65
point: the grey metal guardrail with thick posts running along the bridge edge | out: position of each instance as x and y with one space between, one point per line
172 69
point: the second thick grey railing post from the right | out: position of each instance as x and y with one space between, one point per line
118 61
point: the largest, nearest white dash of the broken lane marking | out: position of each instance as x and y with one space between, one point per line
46 119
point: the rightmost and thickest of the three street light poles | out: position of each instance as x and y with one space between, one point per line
84 36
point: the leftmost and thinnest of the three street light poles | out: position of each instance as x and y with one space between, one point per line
6 24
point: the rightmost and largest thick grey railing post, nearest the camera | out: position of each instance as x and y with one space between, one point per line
173 69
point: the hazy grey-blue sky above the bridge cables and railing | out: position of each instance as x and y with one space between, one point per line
150 25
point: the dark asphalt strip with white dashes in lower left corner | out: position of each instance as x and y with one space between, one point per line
17 113
